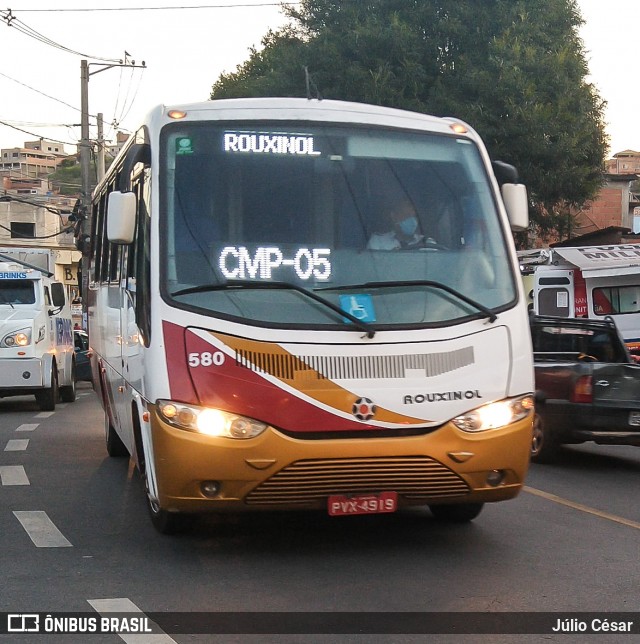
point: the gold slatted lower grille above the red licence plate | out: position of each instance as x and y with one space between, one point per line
310 481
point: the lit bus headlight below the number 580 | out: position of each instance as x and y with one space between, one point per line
211 422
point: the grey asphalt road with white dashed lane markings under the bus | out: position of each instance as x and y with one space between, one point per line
76 539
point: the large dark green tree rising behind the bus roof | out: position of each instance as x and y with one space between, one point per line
515 70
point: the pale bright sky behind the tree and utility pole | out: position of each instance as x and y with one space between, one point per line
186 49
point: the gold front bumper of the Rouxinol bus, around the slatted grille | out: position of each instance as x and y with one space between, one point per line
198 473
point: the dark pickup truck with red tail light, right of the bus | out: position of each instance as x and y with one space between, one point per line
587 385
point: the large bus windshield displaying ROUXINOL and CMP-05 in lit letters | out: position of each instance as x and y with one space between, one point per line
396 228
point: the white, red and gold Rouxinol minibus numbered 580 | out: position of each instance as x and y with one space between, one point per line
310 304
